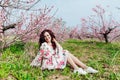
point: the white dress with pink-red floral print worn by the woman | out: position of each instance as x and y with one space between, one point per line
48 58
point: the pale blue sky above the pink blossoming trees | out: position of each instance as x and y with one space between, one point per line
71 11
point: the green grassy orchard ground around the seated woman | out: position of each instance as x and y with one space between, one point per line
15 61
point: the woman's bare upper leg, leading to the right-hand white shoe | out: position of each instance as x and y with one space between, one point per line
76 60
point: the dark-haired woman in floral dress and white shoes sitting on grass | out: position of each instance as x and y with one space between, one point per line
52 56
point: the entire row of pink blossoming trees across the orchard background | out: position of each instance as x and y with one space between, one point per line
21 21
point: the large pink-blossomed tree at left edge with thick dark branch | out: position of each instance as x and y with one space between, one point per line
25 24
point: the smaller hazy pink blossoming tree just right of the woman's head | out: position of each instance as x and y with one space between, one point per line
60 29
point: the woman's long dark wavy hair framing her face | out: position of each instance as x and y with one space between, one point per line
42 38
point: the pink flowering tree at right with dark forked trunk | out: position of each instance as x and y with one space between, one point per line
102 26
